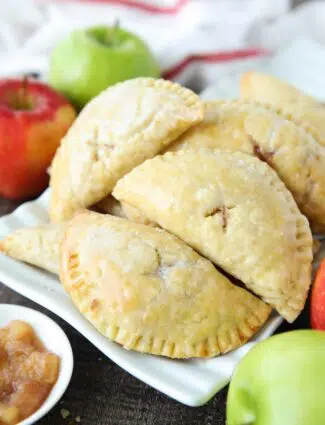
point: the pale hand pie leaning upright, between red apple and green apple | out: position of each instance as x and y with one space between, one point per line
116 131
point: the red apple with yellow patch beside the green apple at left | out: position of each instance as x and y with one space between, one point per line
33 120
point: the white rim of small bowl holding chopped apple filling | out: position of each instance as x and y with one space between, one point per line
54 340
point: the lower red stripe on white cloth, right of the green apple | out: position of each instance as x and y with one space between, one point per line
225 56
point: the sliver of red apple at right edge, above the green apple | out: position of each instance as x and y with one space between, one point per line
317 313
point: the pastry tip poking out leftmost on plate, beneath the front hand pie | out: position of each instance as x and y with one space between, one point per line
38 246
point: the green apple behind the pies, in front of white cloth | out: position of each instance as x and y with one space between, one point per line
90 60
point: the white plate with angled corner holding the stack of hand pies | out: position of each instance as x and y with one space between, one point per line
190 382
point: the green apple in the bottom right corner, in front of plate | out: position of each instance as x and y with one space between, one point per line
280 381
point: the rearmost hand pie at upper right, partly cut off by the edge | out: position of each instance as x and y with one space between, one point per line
301 108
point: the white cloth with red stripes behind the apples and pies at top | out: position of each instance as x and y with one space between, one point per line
196 41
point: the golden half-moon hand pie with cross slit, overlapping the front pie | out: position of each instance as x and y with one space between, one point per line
233 209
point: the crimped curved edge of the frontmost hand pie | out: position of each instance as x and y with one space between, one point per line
213 346
